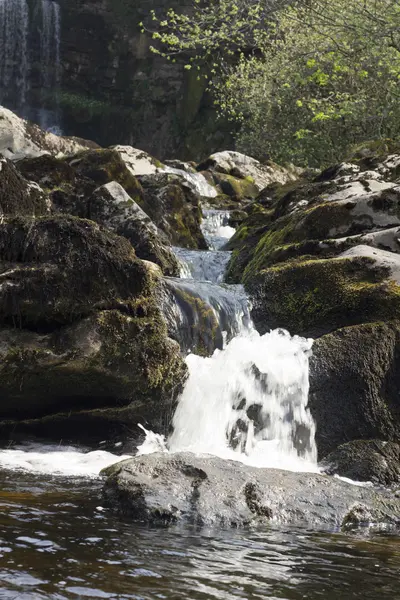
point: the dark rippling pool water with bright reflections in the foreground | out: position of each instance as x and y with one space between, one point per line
57 542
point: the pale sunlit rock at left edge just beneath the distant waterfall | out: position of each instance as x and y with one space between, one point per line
20 139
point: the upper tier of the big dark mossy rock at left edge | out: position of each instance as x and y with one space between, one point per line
55 270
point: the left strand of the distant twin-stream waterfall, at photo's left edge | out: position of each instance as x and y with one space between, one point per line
14 54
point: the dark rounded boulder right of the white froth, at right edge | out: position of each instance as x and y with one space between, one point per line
354 383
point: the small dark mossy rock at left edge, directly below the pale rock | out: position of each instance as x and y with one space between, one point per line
18 195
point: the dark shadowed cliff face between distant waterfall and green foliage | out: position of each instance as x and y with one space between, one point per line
115 88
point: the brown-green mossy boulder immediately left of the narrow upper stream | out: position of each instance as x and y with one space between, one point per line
174 208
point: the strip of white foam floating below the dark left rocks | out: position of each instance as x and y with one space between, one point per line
57 460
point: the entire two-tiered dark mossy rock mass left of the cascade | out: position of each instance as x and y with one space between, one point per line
90 339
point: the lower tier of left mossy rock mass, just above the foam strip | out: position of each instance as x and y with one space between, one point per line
87 370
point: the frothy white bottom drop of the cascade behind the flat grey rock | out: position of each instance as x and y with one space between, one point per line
248 402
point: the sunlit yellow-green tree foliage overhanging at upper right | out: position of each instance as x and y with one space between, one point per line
304 81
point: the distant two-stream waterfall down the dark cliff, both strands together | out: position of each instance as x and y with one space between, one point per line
30 66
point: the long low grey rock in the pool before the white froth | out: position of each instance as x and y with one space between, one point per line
164 489
